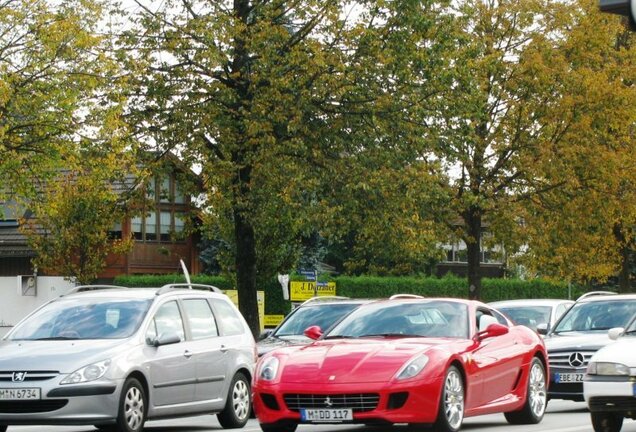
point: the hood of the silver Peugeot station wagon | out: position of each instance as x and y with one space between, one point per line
63 356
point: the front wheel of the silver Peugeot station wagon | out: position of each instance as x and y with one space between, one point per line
133 404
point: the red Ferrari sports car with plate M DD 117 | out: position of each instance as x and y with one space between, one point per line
416 361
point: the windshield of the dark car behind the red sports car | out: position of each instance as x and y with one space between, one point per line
322 315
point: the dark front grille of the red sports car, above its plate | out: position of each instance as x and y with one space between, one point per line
358 402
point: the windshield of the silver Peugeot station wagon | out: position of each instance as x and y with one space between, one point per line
83 318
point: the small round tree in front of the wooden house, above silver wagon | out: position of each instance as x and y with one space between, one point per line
71 232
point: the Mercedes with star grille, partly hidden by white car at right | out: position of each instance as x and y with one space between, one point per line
580 332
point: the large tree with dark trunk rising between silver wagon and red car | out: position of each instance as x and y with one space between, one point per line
266 95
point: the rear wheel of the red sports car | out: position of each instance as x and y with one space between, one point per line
536 397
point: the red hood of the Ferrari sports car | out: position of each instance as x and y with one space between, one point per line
349 361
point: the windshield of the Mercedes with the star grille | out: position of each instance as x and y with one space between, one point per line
597 315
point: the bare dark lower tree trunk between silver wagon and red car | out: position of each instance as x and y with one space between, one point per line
246 271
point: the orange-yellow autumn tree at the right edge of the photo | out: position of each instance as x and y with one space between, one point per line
585 232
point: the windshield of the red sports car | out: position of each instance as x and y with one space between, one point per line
436 318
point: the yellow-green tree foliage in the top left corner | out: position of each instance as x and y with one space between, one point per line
50 69
